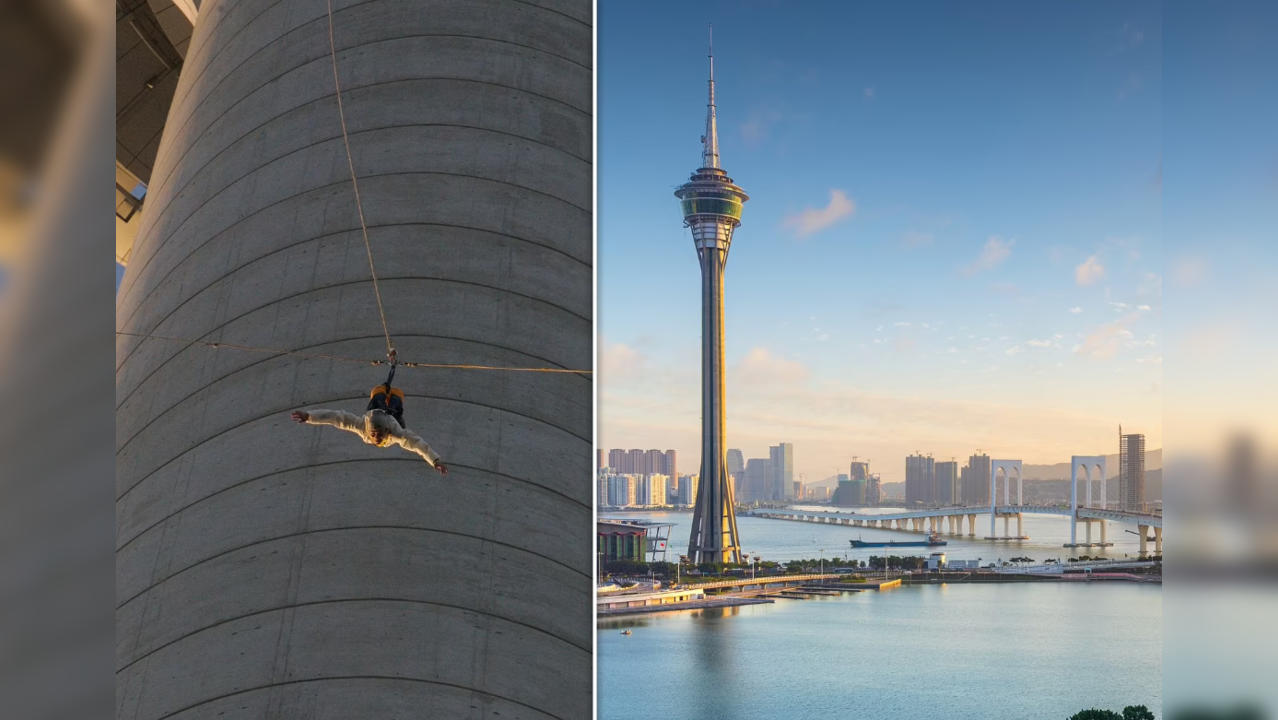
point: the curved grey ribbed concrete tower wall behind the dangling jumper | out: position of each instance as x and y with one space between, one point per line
266 570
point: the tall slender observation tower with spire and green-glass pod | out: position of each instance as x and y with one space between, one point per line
712 210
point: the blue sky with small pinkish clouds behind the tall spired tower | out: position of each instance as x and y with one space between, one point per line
954 239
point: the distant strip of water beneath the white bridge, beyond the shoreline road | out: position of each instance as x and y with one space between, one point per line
787 540
